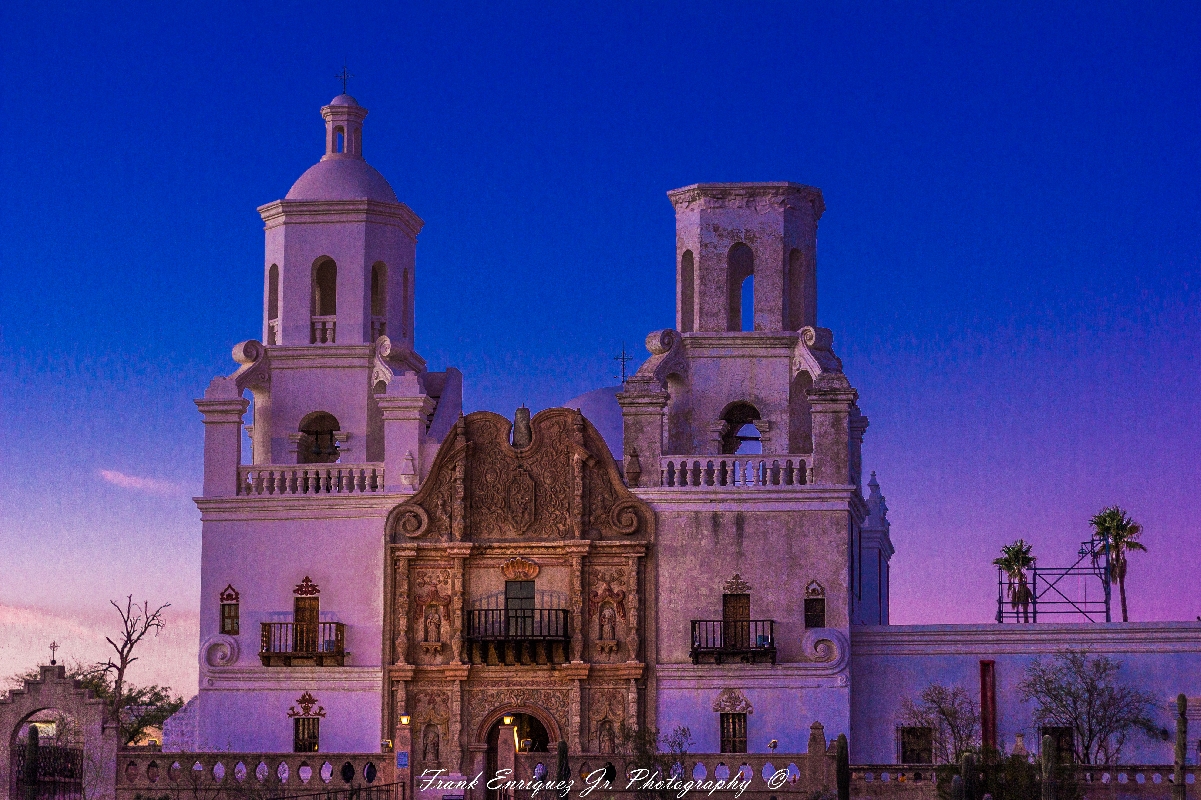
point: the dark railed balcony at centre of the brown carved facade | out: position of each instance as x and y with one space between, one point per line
537 636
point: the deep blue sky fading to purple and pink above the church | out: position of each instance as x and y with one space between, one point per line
1011 256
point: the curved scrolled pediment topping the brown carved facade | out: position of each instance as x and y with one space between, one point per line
563 486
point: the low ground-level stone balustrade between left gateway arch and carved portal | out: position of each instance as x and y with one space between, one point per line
210 775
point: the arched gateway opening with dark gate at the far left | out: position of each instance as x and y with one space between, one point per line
46 757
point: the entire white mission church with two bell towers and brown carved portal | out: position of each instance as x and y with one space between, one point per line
384 574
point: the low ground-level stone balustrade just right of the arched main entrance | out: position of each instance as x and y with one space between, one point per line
775 774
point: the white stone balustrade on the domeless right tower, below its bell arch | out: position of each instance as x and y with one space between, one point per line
737 471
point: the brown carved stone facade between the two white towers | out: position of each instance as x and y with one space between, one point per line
516 590
